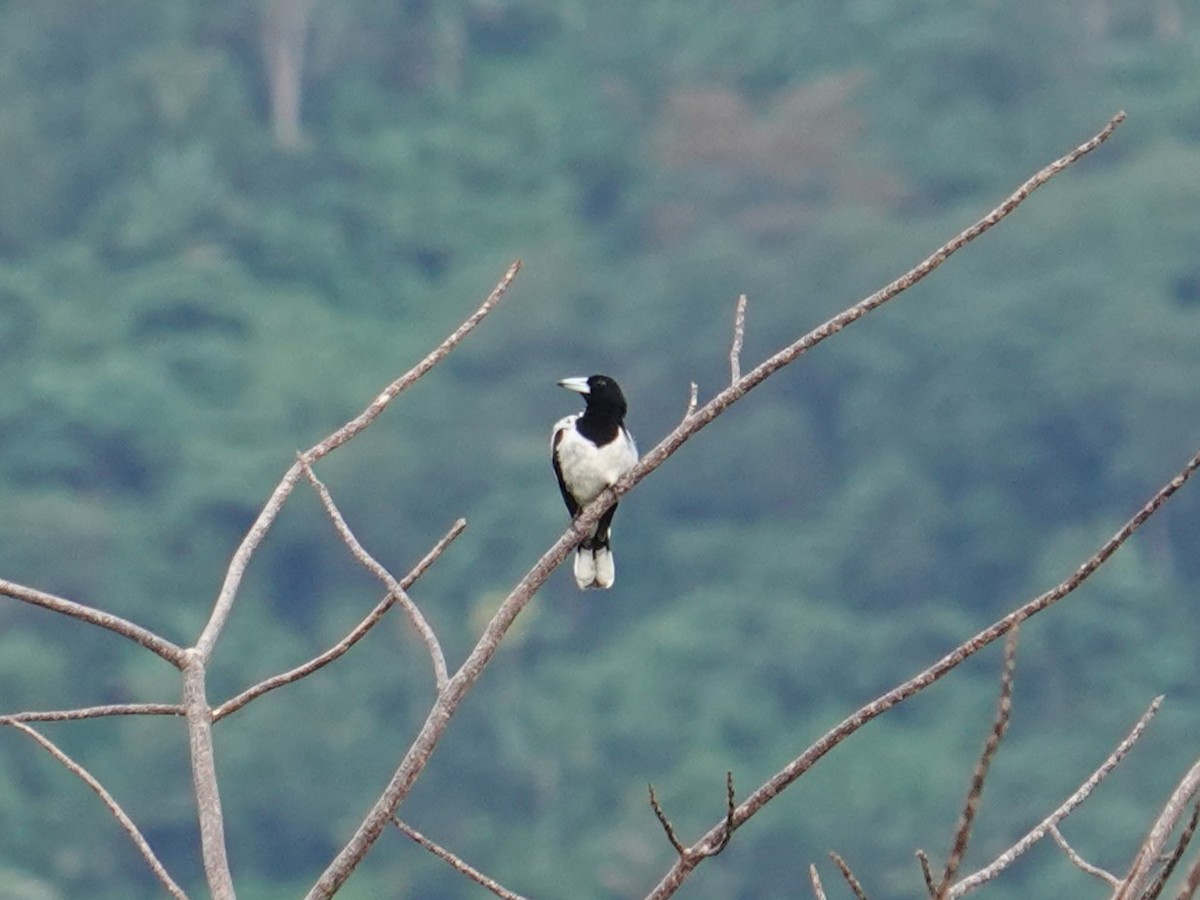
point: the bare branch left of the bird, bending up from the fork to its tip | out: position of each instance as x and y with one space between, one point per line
279 496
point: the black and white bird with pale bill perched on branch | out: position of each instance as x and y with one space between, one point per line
591 451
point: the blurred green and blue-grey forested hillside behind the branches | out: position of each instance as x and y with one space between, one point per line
194 286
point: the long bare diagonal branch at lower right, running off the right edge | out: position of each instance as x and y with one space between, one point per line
922 681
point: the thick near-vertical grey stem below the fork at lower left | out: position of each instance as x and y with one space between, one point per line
205 779
